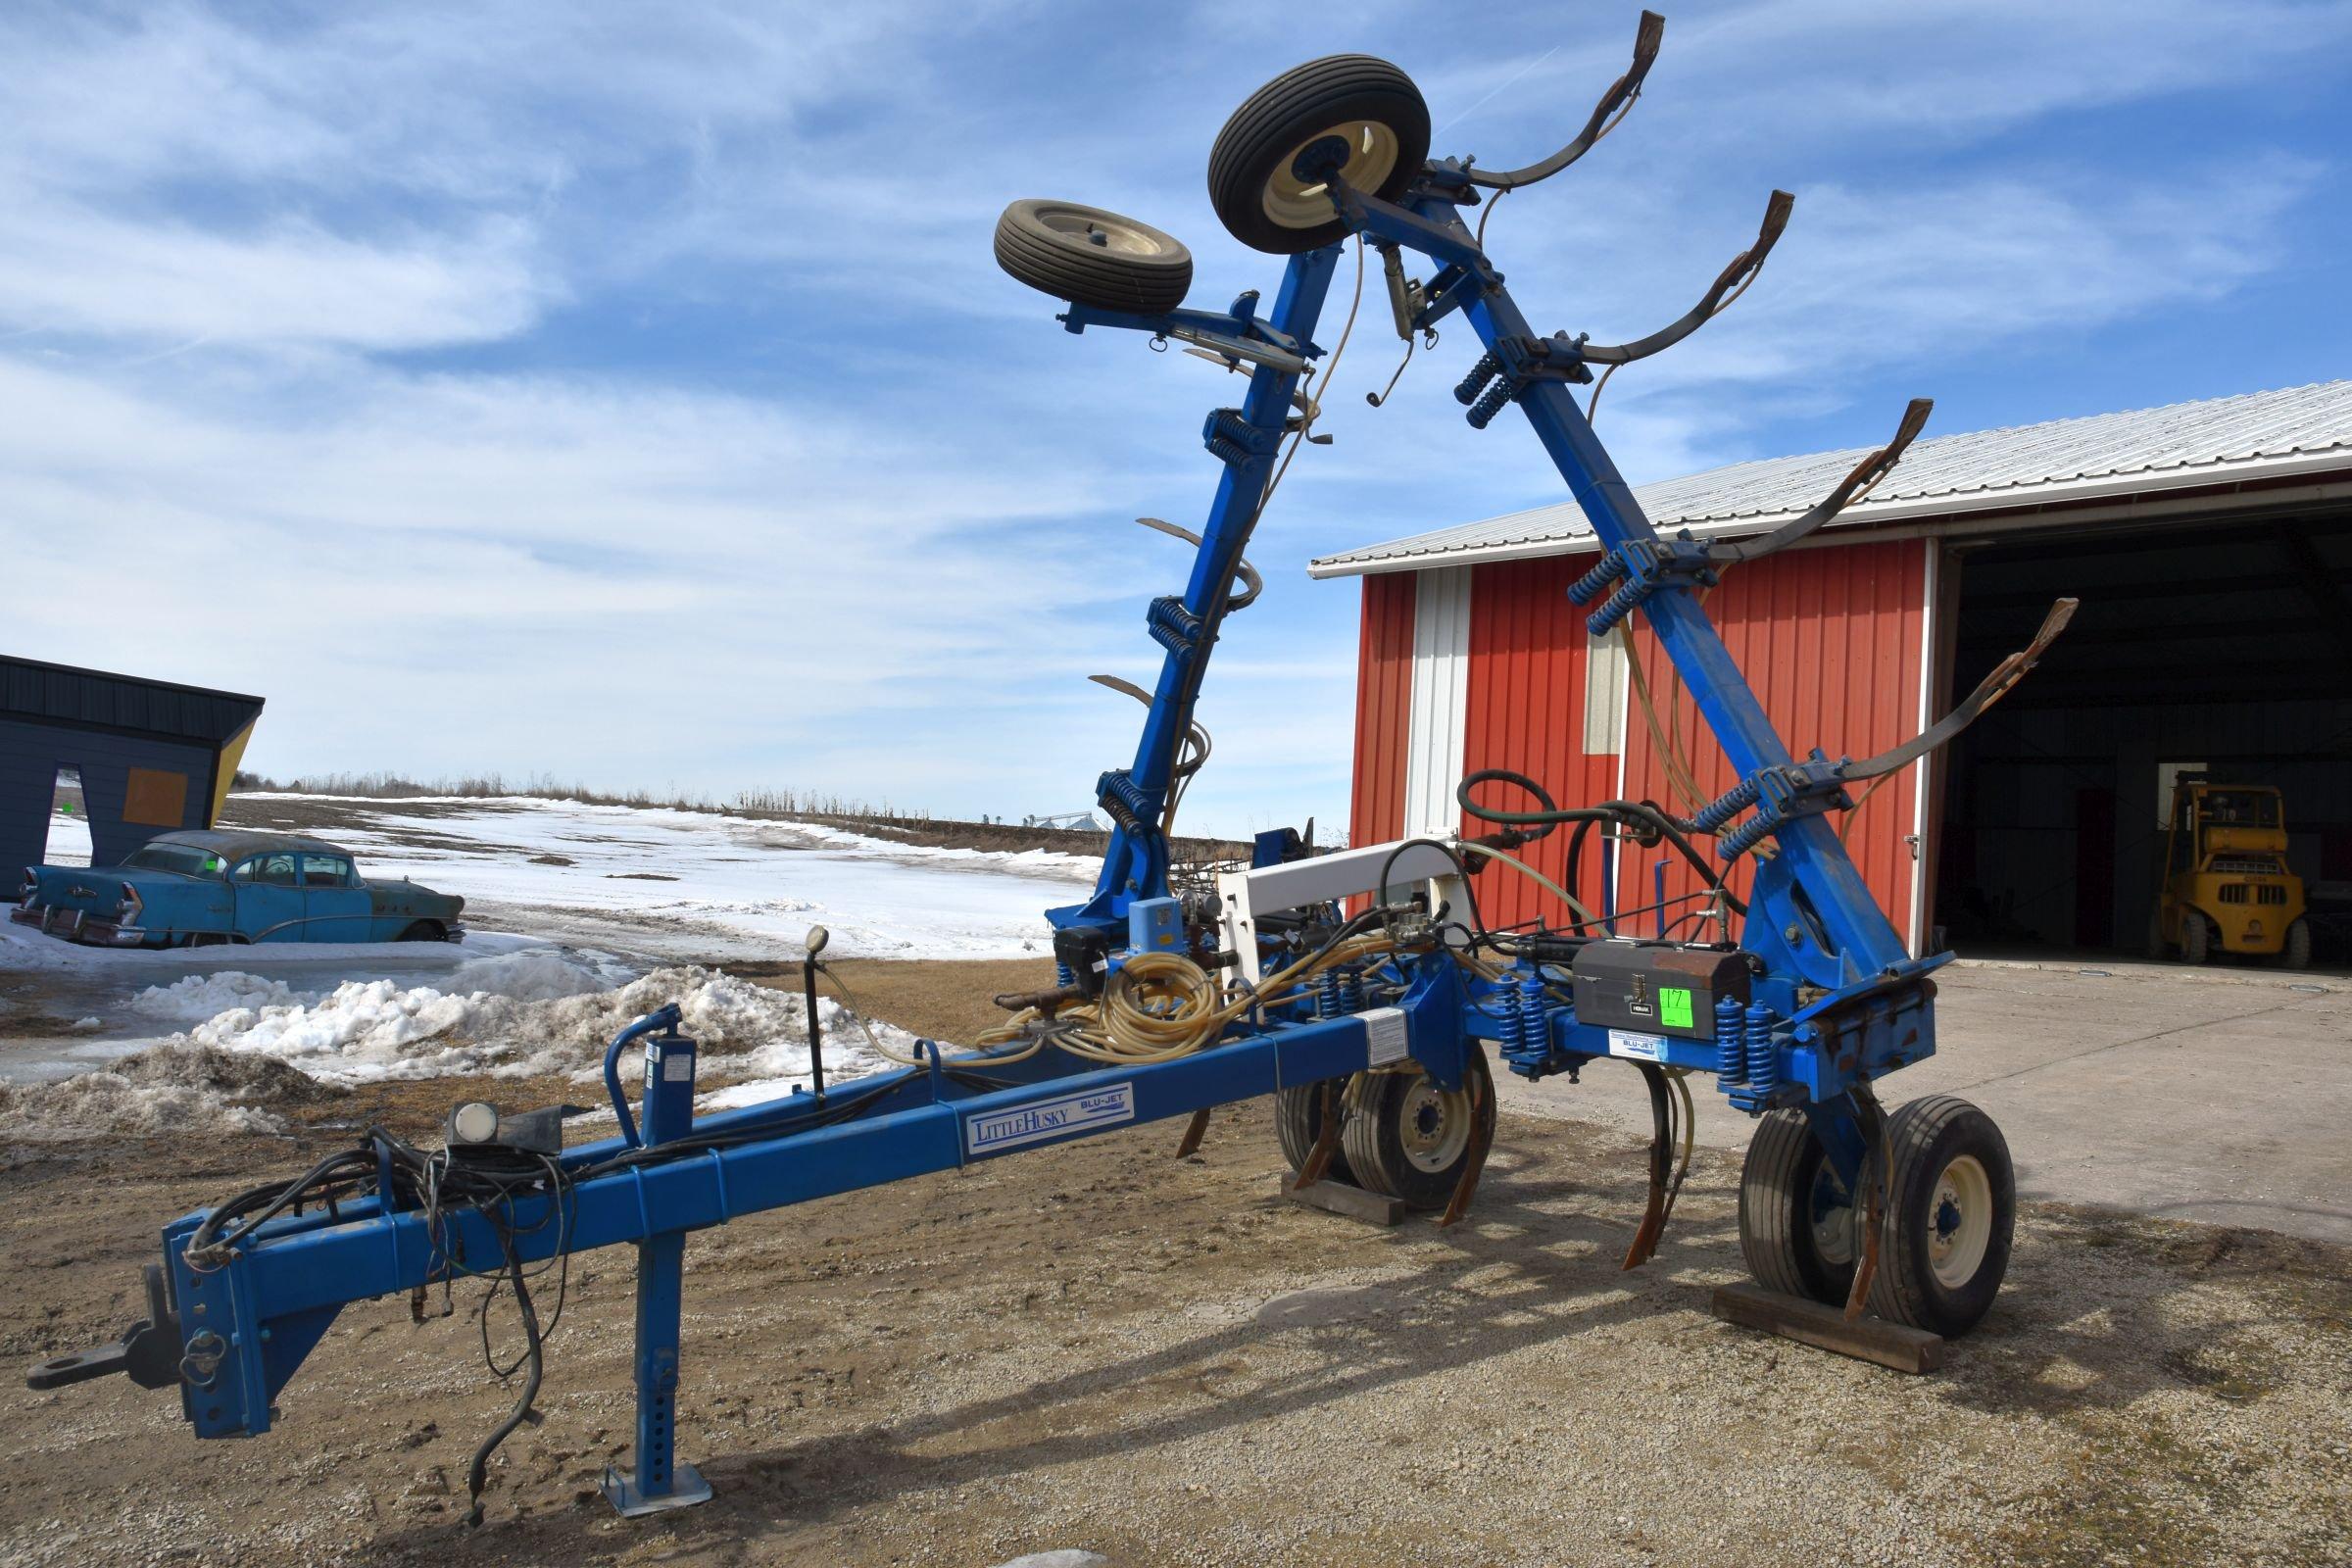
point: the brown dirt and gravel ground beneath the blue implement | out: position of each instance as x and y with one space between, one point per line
1104 1348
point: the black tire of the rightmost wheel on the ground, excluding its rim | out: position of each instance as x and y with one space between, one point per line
1927 1139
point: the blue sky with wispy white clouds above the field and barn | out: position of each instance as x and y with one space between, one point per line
629 394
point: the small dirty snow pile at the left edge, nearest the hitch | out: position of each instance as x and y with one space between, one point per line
163 1092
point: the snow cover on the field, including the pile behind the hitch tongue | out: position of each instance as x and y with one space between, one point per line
580 920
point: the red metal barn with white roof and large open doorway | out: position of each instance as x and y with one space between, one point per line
2210 544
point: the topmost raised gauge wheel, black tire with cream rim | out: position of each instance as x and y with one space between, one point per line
1351 109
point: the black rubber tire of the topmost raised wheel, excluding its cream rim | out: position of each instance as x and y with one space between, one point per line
1267 133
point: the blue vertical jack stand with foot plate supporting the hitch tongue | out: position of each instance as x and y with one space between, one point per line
660 1480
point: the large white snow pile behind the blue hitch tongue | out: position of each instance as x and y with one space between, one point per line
528 1014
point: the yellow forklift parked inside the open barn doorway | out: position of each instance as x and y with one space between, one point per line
2226 883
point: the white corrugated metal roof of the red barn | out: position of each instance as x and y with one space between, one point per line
2304 429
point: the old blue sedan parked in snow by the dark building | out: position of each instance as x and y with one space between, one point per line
185 890
